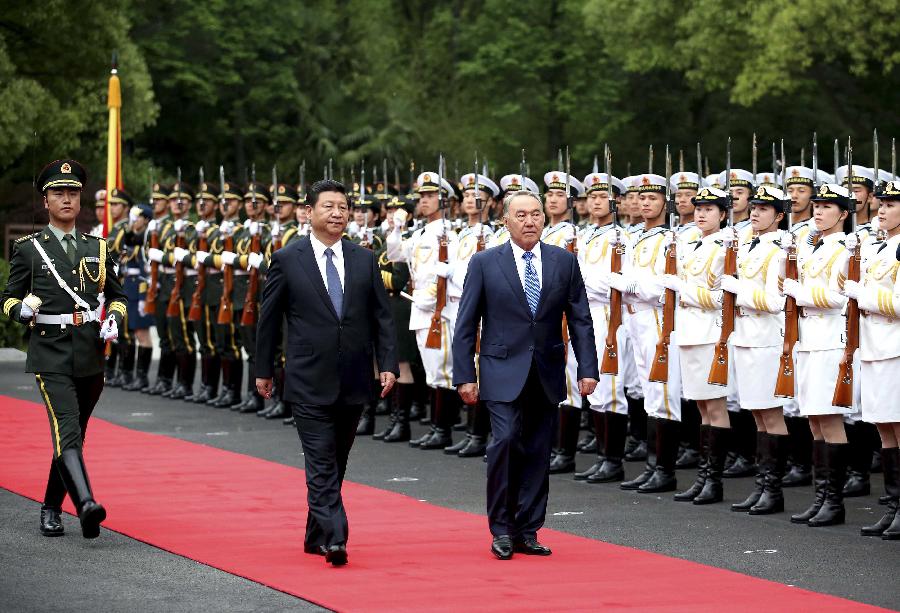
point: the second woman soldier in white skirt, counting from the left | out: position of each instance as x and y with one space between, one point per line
758 339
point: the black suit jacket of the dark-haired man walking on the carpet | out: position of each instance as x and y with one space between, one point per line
327 358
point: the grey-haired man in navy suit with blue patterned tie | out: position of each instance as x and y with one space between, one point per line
519 292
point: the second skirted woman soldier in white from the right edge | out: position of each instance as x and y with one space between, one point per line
823 271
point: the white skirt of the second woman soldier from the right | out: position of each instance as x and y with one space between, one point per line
816 374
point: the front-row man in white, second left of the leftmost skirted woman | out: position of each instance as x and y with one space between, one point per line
609 411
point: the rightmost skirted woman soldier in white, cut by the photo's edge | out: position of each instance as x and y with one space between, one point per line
878 296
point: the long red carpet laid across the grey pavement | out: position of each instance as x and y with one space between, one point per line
227 503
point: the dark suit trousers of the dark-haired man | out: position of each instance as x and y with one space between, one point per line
326 433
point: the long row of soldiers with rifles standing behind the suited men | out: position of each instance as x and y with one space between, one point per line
425 241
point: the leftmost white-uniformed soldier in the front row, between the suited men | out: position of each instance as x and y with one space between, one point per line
422 251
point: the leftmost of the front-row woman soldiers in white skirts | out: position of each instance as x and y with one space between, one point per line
700 267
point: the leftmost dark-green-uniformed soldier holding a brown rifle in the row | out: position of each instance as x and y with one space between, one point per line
161 228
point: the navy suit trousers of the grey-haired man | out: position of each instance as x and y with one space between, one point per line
518 471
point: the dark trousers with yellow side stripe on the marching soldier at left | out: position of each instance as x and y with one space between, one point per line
69 402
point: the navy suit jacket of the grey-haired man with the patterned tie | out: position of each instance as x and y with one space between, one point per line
510 337
